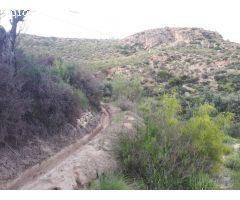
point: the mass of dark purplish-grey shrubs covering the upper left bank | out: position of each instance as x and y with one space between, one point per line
43 98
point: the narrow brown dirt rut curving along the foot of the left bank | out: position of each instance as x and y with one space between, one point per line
32 174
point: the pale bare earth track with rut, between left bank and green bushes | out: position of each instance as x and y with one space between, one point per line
76 165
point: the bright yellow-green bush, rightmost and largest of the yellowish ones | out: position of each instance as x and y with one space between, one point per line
207 134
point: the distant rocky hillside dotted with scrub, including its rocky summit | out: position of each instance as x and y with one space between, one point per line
193 61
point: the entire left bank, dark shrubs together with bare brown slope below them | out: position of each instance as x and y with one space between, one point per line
39 106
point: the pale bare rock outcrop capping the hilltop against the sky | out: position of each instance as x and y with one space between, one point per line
172 36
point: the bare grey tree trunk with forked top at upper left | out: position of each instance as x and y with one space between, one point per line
7 39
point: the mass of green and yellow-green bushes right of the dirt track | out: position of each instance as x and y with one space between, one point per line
171 151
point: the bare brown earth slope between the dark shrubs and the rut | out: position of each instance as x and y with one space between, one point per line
16 160
